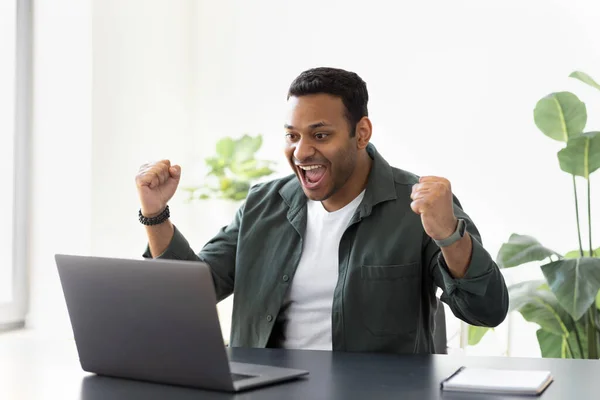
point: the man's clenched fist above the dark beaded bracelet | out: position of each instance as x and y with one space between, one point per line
156 183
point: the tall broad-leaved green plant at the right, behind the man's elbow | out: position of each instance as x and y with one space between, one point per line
566 303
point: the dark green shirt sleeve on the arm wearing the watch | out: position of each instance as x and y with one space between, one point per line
480 297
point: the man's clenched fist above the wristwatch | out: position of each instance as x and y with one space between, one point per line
432 200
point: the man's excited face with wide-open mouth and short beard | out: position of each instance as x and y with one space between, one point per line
318 144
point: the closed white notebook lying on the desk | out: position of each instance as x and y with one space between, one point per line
489 380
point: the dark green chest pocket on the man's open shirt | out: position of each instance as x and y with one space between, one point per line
391 298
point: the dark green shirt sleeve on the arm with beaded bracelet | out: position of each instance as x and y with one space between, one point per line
219 253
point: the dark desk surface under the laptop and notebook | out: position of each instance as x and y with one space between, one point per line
49 369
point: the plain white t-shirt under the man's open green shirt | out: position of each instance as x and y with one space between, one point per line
308 303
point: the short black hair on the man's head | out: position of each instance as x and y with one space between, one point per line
337 82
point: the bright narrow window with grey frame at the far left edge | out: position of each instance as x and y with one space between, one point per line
15 83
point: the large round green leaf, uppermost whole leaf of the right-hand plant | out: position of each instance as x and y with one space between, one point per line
560 116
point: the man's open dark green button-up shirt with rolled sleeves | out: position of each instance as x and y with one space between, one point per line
389 269
